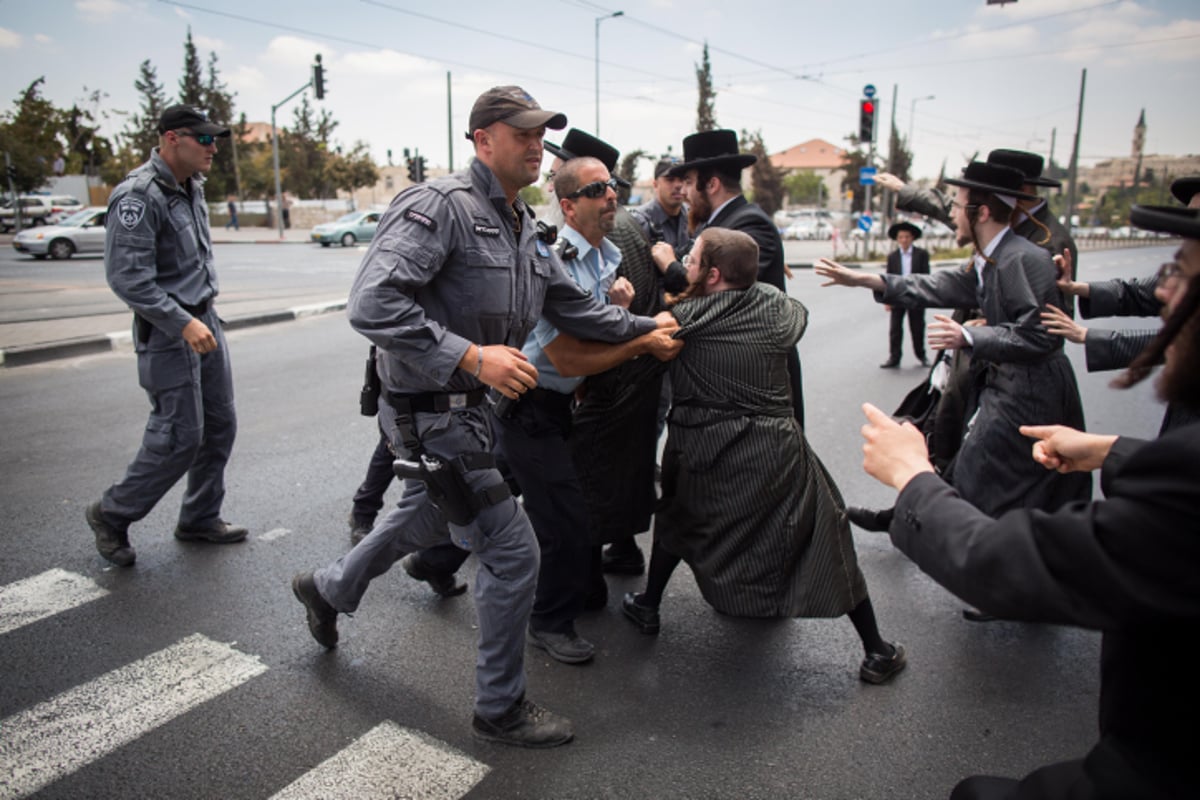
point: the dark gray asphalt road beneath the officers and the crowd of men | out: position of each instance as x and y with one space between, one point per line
715 707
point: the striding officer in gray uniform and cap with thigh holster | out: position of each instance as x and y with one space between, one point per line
453 284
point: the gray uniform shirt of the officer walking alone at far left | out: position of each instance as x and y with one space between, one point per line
159 250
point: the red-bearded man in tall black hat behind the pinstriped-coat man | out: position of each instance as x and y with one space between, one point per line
712 171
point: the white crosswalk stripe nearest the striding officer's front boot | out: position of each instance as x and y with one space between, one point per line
391 762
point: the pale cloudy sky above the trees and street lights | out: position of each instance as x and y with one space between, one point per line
999 76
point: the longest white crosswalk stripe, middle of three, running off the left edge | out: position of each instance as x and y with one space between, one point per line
88 723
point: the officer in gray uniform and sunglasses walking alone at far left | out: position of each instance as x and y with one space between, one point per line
159 261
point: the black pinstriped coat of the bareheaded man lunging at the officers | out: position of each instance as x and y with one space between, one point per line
745 500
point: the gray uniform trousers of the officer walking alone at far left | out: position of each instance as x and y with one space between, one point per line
191 431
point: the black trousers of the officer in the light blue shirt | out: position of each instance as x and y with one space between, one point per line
535 444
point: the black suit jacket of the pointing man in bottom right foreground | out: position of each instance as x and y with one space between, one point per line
1127 566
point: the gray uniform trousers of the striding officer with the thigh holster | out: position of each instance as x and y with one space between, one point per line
501 537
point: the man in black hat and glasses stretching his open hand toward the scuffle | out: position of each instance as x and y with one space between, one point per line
1022 370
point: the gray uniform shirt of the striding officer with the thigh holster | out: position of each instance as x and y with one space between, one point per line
447 272
